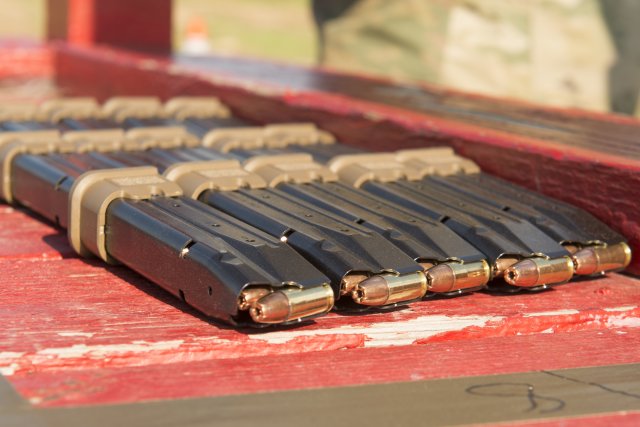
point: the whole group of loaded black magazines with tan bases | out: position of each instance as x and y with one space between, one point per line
258 225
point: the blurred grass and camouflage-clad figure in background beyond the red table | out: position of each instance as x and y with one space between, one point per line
569 53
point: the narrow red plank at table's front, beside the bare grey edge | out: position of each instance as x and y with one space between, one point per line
458 358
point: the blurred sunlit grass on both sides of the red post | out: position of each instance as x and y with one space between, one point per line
275 29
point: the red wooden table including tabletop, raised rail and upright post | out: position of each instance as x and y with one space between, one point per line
77 333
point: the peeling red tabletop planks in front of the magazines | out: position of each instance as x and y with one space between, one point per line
72 325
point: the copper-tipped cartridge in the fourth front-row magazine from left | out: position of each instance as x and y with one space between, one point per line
535 272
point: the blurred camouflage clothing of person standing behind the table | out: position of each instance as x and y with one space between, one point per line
556 52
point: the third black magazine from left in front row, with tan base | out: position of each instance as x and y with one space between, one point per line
427 242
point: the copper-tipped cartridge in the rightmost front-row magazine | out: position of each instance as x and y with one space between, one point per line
599 259
